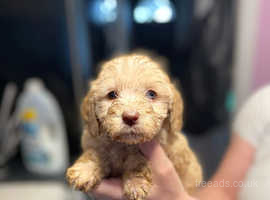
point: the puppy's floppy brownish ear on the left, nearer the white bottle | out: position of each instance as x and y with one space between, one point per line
89 114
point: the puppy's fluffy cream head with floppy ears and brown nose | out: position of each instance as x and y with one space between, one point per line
131 100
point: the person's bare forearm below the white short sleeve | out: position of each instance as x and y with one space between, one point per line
225 183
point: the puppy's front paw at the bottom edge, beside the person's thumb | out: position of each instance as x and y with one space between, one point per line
136 188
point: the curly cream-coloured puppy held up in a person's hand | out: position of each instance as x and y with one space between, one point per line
132 101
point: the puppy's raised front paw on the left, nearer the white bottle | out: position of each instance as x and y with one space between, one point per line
83 176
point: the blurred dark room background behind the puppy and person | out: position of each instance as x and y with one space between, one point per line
217 50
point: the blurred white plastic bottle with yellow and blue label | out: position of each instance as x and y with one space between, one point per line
44 142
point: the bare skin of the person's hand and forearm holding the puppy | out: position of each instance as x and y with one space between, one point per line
236 162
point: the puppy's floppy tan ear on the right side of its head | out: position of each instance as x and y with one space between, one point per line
176 111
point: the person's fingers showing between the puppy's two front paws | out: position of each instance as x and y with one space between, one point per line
109 189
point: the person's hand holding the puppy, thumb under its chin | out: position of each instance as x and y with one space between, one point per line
166 183
